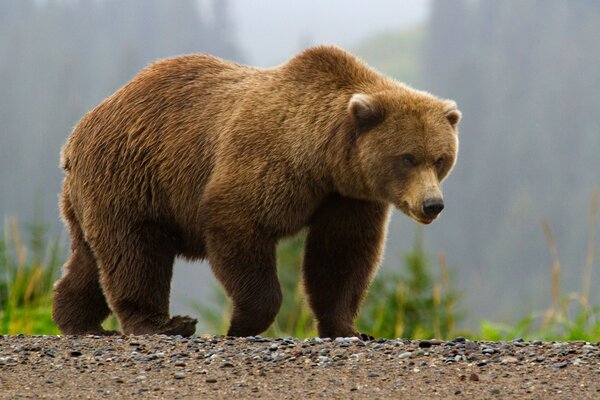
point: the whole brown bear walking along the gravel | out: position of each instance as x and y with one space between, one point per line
203 158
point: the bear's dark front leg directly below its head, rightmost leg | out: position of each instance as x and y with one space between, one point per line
343 249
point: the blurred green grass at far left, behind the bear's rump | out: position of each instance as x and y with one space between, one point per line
27 273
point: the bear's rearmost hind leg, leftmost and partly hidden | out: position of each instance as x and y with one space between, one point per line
79 306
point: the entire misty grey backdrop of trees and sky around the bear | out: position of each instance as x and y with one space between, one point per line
525 74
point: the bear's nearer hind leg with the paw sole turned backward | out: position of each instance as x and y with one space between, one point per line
136 268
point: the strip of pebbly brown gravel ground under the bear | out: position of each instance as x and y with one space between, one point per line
256 367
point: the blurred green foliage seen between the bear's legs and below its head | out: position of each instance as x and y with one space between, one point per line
410 304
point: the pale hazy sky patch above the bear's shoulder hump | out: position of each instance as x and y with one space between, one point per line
270 31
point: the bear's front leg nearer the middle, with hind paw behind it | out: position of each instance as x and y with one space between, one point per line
245 265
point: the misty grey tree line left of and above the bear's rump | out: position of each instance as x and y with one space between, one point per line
58 59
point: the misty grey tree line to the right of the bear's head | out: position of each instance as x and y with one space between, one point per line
527 77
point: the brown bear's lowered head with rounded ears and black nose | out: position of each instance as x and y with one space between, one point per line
405 144
